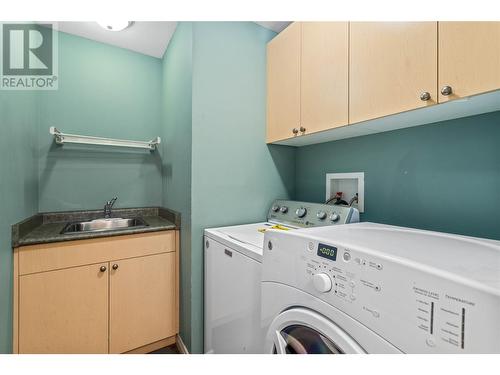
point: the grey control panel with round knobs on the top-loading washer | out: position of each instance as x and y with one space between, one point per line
305 214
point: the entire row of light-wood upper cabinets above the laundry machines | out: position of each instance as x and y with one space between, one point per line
323 76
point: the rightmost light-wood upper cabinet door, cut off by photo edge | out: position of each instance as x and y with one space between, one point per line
469 58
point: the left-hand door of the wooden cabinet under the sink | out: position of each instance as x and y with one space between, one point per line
64 311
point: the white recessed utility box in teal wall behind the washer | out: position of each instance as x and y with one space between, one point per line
349 184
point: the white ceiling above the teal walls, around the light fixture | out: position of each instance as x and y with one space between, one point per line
147 37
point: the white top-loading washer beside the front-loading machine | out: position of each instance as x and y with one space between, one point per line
233 263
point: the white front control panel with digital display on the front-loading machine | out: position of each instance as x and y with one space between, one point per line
417 310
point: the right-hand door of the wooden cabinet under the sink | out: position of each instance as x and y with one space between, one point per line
142 301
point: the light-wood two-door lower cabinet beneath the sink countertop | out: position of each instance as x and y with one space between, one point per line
111 305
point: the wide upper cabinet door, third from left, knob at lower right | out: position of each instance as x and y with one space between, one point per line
393 68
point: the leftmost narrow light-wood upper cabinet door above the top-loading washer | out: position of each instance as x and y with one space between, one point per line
283 84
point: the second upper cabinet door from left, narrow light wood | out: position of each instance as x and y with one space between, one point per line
324 75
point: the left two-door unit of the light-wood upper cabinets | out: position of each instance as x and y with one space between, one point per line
307 79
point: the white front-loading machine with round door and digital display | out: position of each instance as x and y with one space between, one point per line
372 288
